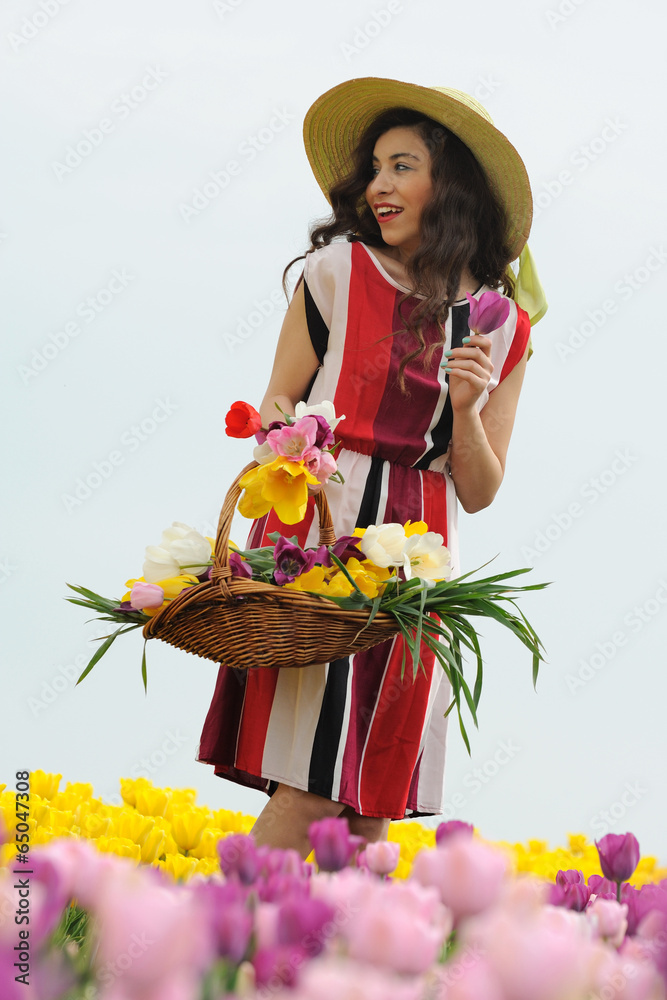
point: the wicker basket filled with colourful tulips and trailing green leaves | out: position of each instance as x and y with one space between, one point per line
283 605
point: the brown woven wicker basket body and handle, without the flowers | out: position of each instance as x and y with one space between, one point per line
245 624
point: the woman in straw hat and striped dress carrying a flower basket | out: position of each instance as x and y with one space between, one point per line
433 203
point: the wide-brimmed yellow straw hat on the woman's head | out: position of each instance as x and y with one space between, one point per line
336 121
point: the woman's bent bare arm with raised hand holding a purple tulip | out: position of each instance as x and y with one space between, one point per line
480 440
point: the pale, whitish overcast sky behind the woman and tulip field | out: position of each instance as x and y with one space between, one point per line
580 91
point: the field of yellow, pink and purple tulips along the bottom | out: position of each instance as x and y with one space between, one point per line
163 899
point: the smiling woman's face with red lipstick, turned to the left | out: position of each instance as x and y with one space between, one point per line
400 187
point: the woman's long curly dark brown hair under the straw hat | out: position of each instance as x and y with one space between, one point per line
463 224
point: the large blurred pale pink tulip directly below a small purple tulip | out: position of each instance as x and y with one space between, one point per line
469 875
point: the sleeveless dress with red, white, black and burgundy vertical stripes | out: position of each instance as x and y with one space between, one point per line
352 730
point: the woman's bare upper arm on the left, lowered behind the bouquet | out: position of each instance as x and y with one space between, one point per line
295 362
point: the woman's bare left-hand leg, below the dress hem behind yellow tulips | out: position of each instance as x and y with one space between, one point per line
285 819
